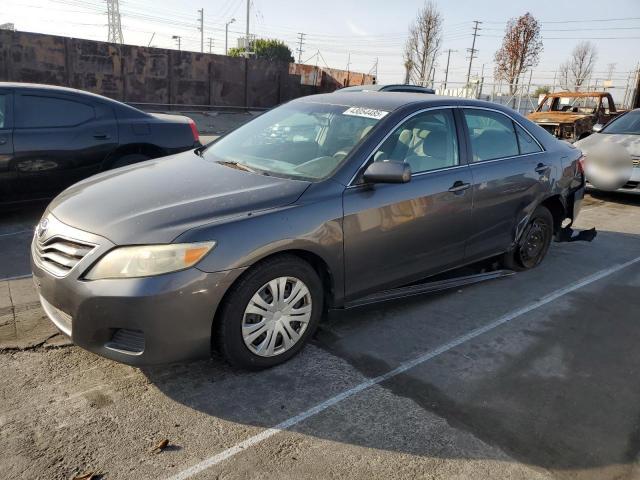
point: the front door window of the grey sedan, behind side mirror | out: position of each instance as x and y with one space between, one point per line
426 142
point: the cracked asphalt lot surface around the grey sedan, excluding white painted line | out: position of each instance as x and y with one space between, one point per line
551 395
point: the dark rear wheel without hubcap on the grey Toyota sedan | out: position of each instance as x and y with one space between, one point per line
533 244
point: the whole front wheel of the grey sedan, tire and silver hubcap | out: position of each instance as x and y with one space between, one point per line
270 313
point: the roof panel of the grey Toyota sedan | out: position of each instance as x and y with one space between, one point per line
389 101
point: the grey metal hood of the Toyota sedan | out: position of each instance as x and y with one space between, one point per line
157 200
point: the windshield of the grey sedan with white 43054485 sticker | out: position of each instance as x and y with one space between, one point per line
298 140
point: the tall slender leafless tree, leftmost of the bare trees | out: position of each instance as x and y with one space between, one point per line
423 44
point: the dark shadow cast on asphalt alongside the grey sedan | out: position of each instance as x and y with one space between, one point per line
557 389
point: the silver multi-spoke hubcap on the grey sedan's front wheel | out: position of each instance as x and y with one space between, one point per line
276 317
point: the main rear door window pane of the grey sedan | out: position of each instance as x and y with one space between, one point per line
492 135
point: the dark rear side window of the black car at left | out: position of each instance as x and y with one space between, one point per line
43 112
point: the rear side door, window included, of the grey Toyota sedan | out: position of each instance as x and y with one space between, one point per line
510 177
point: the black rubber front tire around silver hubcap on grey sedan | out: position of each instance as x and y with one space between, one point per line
227 332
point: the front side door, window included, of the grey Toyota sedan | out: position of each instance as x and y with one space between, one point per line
397 233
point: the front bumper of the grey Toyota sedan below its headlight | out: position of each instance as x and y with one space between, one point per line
138 321
